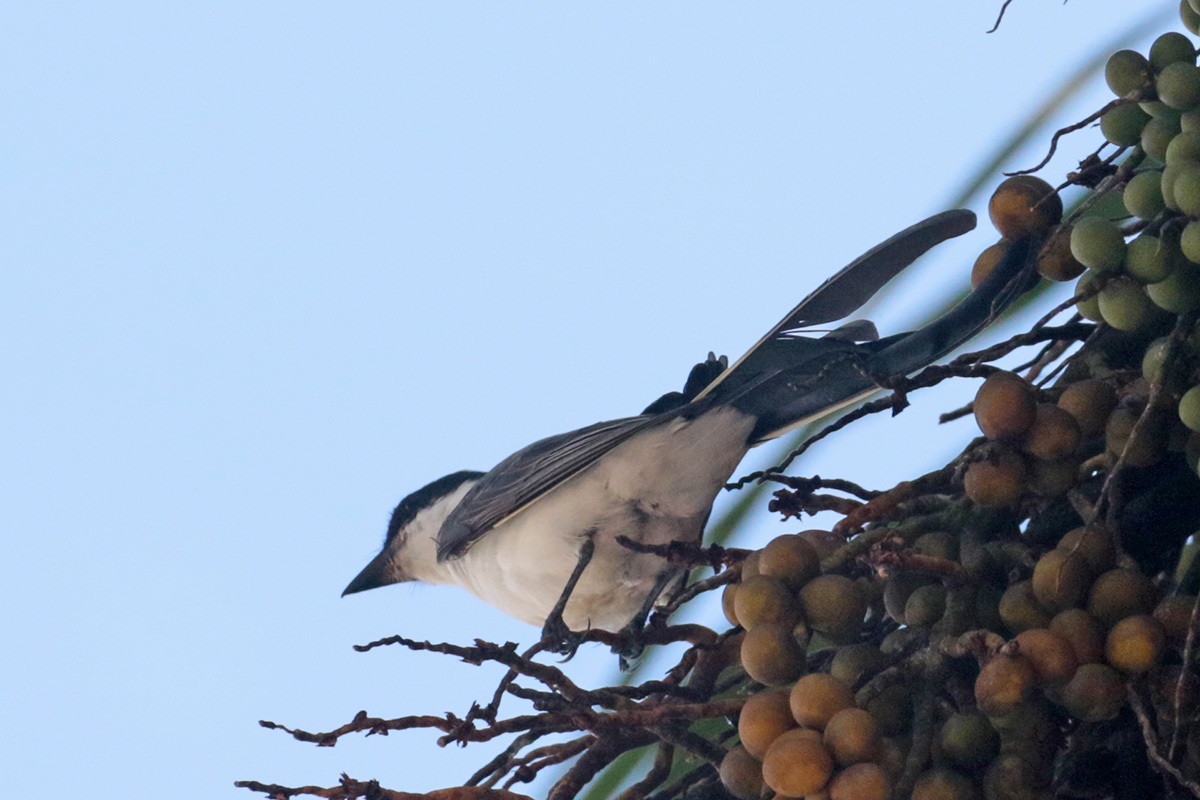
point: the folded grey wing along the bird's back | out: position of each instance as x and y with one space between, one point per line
529 474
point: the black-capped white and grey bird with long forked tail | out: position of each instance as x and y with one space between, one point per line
538 536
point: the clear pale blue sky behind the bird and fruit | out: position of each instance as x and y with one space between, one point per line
269 267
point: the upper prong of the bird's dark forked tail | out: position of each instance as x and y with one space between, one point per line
848 291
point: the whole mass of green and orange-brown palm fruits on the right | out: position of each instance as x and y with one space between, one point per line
1030 607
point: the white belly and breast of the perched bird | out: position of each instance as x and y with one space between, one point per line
655 489
